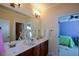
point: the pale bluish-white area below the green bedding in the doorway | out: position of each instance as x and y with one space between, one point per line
66 51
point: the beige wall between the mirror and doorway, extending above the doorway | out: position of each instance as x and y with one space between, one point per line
50 21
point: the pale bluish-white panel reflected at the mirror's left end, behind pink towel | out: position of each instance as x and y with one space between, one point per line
5 25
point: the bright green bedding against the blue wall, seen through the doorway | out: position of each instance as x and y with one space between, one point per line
66 40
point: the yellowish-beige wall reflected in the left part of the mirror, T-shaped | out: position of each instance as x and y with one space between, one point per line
12 17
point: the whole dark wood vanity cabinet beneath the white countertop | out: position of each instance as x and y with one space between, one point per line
39 50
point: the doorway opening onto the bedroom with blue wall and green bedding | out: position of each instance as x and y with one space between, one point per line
68 35
